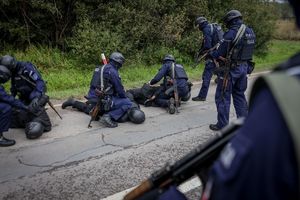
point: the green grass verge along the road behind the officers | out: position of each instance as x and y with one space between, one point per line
66 76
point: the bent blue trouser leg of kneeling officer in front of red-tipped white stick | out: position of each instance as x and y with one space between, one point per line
119 107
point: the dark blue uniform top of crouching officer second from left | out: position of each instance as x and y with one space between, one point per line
33 87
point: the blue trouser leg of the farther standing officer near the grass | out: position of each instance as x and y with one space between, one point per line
206 77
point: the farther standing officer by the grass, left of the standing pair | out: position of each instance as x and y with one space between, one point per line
211 38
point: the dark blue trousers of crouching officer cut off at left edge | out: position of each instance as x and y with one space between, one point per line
5 116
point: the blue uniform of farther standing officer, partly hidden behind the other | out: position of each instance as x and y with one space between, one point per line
208 43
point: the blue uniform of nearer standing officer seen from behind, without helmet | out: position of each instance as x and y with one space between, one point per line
237 79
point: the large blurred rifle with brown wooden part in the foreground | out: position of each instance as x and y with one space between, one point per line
194 163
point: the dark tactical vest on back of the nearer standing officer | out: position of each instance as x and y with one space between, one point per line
244 48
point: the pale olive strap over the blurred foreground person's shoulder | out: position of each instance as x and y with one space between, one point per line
285 89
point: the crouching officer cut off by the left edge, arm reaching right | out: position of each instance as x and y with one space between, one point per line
7 102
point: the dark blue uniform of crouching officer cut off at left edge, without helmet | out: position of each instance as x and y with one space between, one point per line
6 104
